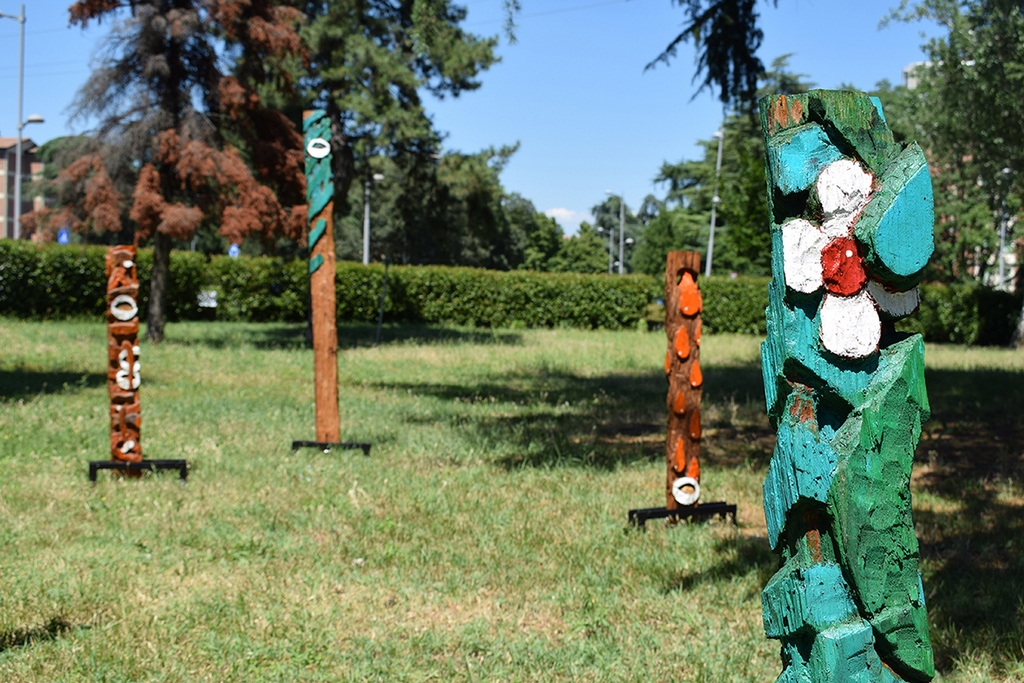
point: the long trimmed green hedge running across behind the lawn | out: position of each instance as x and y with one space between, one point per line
56 282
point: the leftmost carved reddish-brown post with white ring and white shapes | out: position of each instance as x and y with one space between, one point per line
123 377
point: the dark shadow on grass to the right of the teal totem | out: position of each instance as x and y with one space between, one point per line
972 457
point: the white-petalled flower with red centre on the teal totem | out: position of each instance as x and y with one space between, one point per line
829 257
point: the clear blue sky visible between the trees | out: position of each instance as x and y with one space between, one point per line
573 91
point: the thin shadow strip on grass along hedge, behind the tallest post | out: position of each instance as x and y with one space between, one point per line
351 335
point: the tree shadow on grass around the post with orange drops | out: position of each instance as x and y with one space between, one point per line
560 419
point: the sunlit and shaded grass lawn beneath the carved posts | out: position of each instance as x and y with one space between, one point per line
484 540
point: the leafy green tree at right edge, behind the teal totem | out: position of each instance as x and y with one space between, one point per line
970 118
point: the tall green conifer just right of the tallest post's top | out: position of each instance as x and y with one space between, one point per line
369 63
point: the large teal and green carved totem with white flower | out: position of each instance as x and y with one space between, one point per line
852 220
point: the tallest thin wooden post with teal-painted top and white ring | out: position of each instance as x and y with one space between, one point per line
320 199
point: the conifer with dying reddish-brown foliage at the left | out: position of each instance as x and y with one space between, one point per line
166 107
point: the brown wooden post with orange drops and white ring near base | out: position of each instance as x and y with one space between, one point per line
682 368
